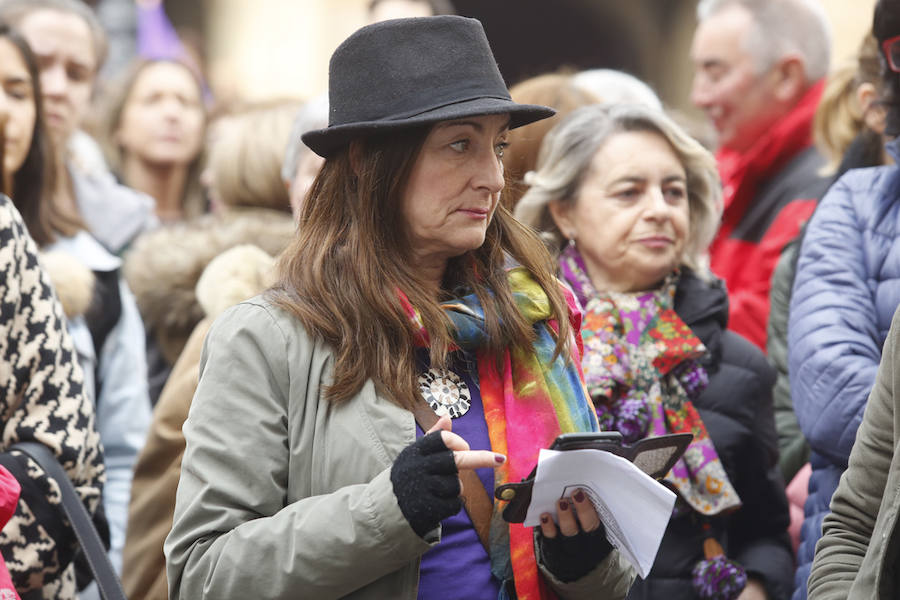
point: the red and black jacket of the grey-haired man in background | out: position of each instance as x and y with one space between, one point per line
770 190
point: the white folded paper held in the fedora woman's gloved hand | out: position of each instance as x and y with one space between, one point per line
634 507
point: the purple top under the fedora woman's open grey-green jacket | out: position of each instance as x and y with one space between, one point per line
459 567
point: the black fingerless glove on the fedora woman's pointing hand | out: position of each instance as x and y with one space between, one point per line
426 483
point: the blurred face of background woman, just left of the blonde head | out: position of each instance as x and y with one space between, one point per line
163 118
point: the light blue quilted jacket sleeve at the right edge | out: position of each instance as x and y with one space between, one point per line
833 336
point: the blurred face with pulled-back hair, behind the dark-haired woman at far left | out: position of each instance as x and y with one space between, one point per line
67 61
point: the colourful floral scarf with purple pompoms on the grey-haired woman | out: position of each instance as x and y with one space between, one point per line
642 372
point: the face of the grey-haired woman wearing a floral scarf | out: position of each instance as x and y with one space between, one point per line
630 218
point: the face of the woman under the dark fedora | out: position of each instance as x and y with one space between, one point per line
454 188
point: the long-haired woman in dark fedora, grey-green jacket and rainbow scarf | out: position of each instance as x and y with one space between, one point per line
320 461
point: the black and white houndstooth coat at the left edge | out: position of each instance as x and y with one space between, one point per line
42 400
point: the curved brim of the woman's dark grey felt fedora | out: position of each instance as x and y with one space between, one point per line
325 142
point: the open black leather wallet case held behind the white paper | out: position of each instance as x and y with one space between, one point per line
654 456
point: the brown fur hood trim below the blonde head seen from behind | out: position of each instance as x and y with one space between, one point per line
164 266
